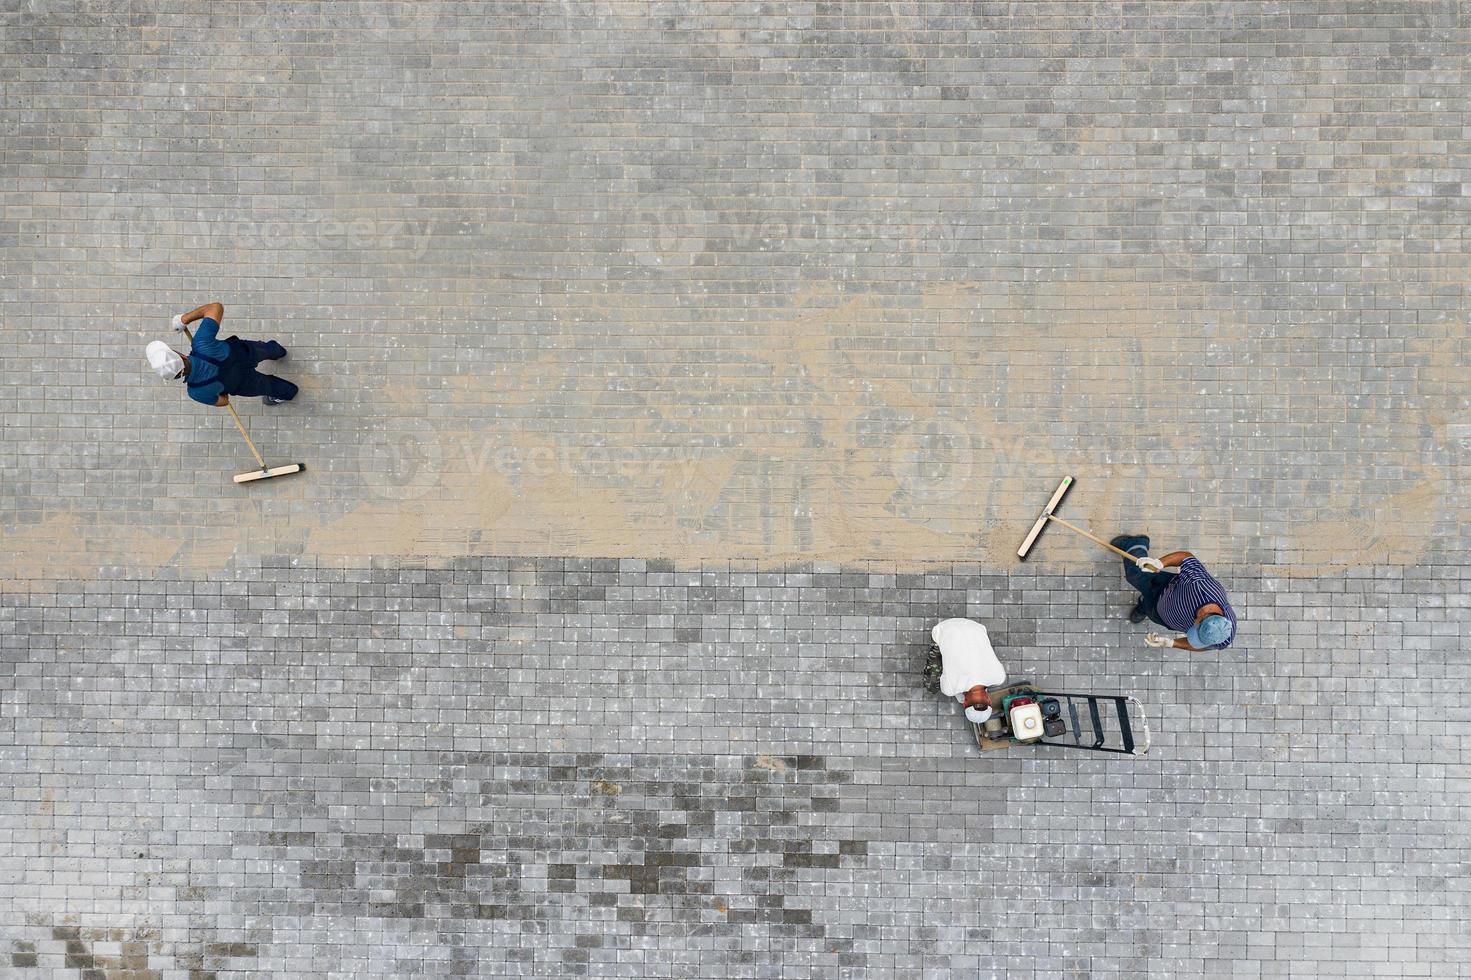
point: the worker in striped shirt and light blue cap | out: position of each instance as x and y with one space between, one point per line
1178 594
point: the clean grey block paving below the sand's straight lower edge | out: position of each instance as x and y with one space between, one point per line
557 767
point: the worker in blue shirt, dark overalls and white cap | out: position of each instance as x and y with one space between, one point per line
216 369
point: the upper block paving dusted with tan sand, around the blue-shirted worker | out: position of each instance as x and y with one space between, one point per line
711 280
